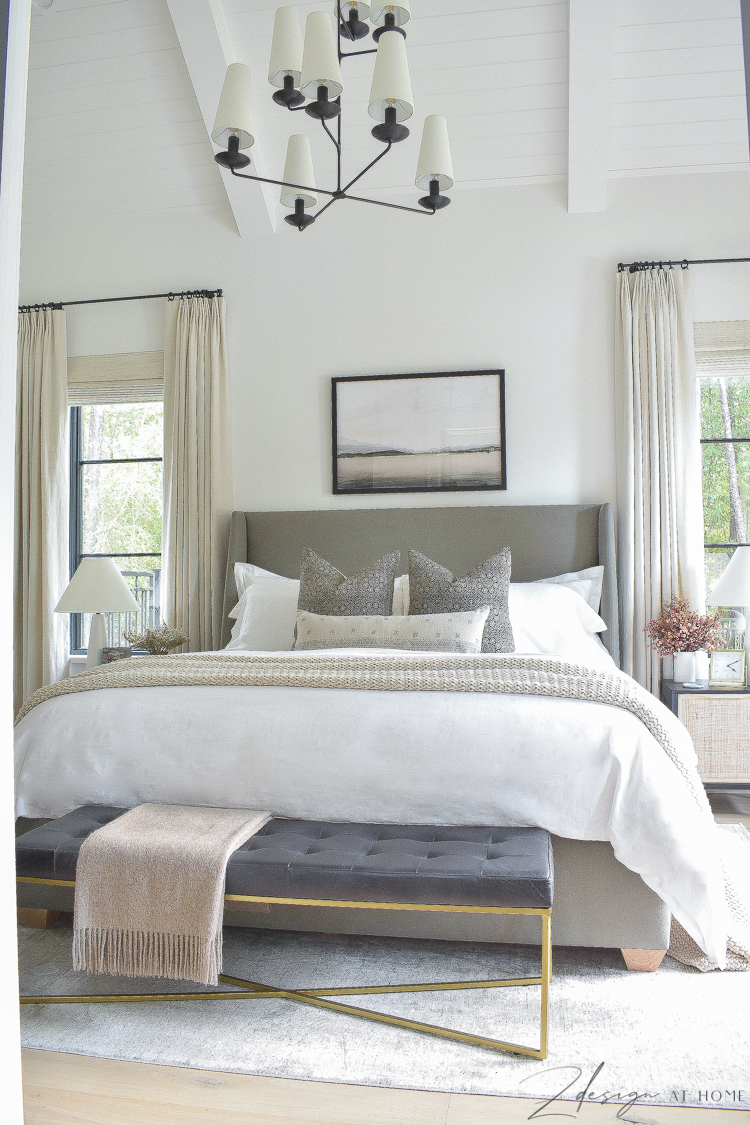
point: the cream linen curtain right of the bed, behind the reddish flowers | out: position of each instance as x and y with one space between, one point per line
659 489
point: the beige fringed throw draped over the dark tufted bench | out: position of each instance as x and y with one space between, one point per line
150 892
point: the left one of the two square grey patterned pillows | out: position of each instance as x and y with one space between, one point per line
324 590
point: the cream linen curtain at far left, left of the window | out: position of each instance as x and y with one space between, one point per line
42 502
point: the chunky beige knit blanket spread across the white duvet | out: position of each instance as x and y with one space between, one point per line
397 671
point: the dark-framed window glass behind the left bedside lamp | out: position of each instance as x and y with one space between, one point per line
116 506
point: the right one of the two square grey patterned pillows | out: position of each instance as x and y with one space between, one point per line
435 590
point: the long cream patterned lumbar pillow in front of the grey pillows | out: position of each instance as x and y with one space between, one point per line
430 633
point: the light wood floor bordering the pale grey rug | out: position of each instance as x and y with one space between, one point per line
66 1090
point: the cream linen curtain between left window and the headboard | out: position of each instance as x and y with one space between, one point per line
197 470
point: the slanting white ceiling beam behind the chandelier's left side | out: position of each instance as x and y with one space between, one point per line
202 31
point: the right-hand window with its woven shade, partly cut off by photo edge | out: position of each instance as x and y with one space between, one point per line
724 365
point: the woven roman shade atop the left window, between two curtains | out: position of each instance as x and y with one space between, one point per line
130 377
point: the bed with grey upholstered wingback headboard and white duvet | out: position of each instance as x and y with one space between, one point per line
171 745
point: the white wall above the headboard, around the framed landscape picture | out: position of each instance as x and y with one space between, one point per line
503 277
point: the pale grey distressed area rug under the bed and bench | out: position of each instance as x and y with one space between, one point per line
673 1038
